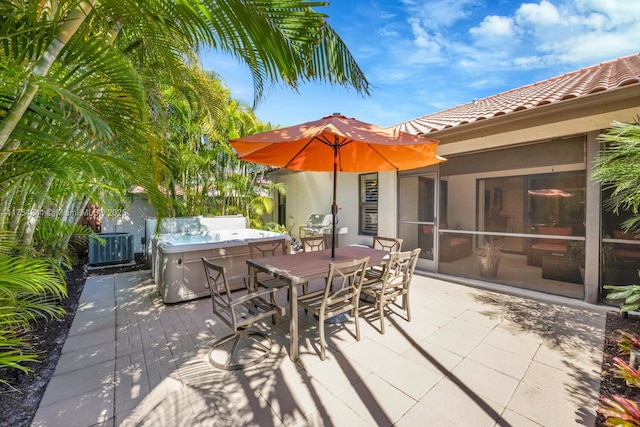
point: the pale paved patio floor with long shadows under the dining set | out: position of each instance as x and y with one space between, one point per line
469 357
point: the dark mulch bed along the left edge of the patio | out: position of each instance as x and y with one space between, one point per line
18 404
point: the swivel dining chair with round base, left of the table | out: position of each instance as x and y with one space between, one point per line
247 347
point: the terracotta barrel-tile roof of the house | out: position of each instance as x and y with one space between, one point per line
598 78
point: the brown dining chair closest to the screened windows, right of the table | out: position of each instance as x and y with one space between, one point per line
395 282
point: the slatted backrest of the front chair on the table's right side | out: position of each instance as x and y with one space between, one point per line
344 283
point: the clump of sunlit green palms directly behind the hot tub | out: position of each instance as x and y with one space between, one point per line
204 176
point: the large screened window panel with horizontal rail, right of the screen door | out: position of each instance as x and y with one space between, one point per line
503 197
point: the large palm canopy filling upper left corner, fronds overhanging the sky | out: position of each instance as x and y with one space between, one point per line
83 74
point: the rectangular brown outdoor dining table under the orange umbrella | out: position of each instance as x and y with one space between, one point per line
297 269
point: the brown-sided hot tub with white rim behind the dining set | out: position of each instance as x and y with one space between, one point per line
178 270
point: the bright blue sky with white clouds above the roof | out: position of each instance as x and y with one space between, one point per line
423 56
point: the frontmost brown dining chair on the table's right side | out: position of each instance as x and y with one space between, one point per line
341 294
